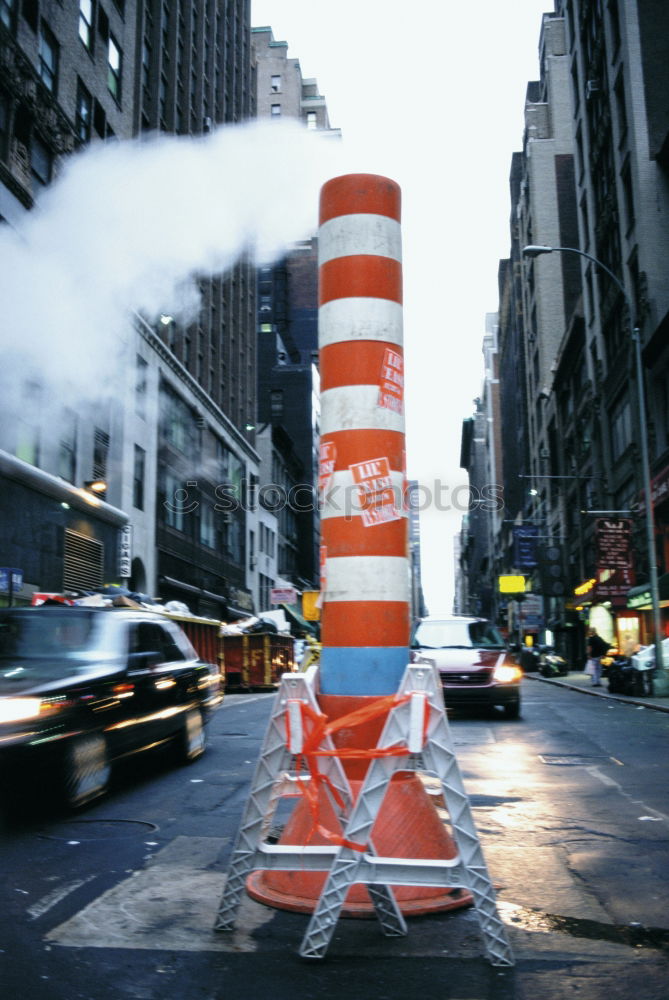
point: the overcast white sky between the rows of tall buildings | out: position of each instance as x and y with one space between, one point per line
430 93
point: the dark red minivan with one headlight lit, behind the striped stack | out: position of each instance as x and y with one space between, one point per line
475 665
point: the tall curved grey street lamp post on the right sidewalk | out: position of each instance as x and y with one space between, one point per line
662 679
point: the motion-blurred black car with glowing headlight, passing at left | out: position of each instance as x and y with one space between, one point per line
82 687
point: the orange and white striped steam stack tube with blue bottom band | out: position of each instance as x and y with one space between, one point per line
364 559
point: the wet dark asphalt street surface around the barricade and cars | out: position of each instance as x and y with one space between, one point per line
571 808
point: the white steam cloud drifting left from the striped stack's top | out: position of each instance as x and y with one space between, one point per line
127 225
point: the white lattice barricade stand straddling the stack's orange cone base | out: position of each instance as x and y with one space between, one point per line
417 722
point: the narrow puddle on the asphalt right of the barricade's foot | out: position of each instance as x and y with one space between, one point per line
632 935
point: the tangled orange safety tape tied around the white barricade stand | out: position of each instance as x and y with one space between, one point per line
314 735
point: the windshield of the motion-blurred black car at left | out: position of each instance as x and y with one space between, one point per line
45 643
